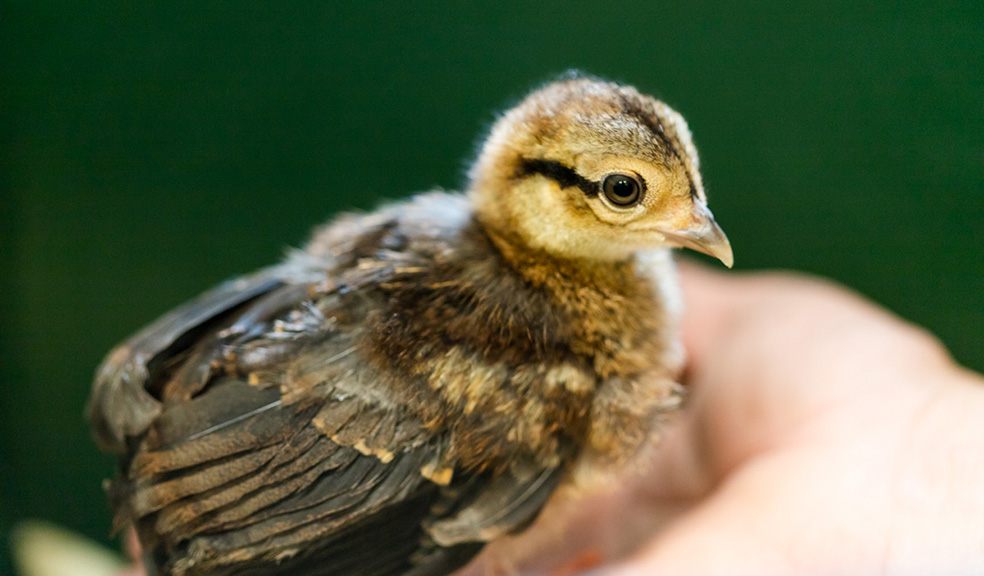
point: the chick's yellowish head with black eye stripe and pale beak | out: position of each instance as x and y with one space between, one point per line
584 168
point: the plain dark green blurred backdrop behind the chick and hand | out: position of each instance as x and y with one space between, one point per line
150 150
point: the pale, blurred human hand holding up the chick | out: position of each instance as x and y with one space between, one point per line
822 435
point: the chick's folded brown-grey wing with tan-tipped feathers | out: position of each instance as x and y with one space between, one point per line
261 441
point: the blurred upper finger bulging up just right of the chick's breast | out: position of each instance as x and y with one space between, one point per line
770 354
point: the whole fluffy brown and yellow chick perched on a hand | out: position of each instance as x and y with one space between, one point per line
418 380
